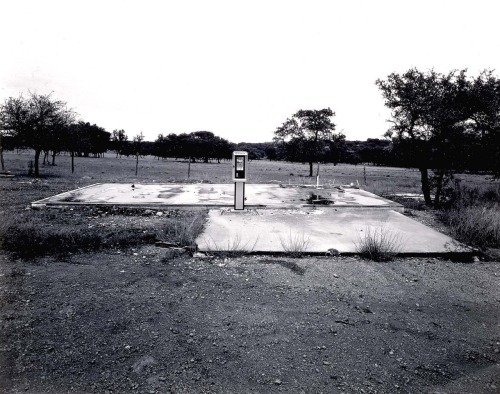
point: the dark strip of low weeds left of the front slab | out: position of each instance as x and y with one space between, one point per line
37 234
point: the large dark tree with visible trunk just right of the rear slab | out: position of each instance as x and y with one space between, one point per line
431 110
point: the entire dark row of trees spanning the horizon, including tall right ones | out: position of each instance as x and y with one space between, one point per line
440 123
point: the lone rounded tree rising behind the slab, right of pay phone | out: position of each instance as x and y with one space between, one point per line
304 135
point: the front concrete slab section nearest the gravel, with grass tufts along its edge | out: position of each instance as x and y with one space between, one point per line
316 230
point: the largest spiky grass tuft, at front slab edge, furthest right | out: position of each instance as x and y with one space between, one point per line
378 244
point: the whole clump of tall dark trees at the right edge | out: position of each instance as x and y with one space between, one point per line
440 119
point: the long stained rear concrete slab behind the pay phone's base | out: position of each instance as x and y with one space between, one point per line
213 195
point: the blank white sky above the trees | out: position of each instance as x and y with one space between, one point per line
236 68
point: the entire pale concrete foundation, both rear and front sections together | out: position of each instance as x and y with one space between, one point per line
280 218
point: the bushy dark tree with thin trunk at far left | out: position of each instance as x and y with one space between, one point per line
34 120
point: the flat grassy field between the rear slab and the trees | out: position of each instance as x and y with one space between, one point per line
381 180
